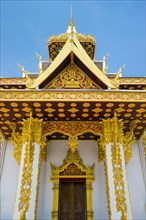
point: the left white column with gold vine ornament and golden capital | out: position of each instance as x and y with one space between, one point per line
32 153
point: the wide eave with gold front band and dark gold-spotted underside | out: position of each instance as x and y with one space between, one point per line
72 105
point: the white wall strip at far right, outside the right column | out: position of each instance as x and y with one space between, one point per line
136 185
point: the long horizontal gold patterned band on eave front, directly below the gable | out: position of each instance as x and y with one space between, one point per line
47 95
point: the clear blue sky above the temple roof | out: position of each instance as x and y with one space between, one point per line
118 26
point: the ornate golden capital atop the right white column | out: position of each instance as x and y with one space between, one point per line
113 133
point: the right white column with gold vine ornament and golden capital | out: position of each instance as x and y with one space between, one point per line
112 145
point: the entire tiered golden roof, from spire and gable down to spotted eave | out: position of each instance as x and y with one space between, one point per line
71 86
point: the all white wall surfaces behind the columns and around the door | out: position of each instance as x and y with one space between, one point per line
56 153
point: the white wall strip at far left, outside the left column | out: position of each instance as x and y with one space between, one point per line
8 183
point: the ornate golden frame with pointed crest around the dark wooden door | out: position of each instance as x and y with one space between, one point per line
72 168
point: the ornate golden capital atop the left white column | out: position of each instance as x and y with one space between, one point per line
32 132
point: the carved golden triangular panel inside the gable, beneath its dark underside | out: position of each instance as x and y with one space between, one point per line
72 77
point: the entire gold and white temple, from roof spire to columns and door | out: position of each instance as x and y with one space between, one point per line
73 139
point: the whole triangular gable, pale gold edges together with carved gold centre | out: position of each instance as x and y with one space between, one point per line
72 54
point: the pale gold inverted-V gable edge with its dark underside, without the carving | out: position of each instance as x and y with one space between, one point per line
72 51
